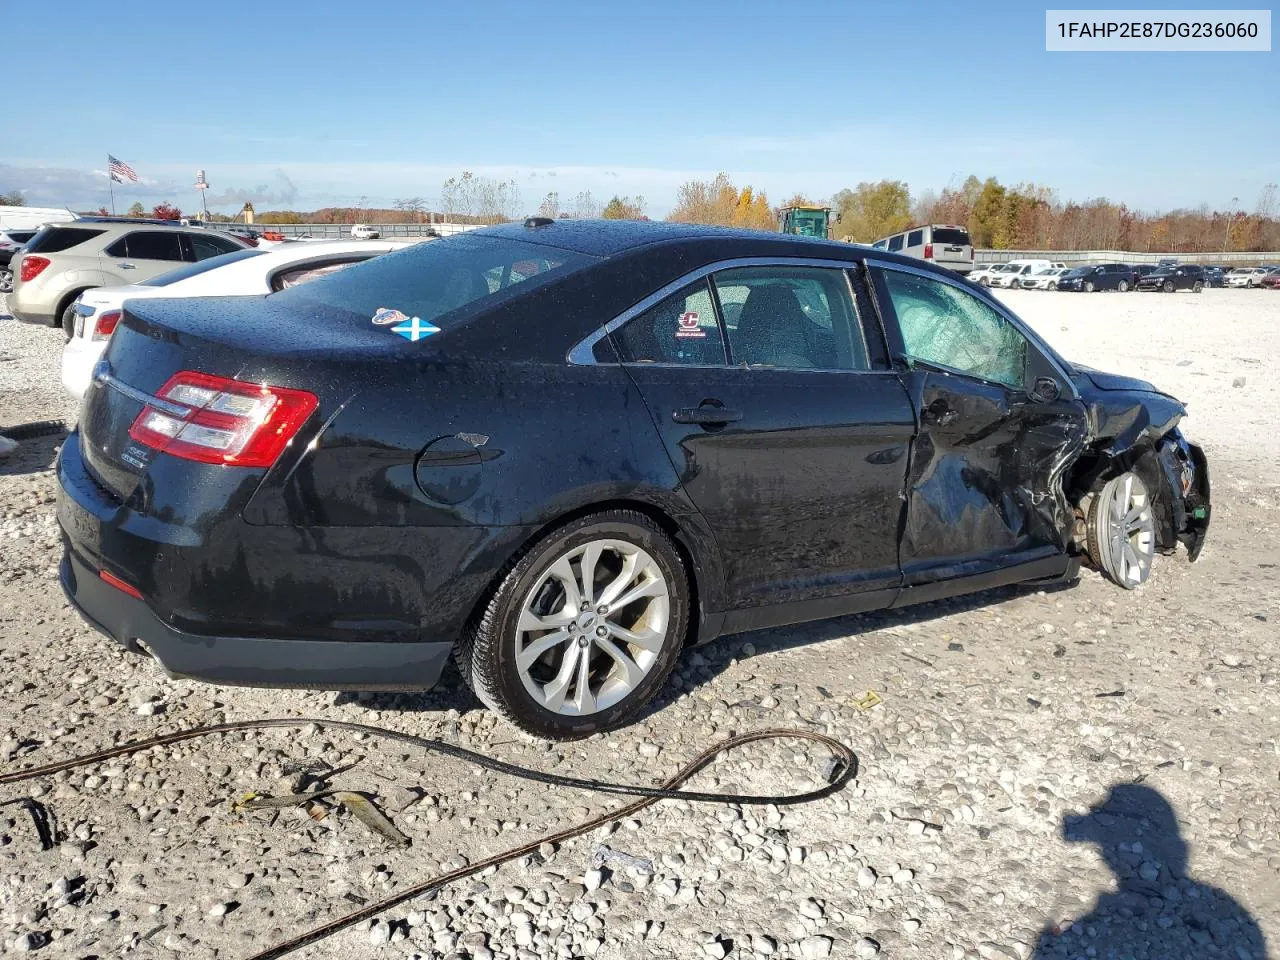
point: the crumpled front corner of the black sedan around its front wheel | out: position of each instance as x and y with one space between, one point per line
1133 433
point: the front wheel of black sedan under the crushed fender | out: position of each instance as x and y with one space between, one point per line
1122 532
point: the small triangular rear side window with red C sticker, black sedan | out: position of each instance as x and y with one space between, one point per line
680 330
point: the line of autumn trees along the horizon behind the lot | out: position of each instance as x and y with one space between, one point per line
1025 217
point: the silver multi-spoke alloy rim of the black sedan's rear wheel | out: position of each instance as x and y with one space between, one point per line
593 627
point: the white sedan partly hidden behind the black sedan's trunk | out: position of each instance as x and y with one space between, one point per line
244 273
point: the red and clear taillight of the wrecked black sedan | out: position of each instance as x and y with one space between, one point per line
223 422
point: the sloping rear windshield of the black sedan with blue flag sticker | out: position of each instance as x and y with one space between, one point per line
444 281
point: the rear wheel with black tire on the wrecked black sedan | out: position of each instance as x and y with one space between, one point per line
583 630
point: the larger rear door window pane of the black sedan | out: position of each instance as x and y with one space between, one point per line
796 318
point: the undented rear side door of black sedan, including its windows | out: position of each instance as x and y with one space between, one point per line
787 427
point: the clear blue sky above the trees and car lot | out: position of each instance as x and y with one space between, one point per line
314 104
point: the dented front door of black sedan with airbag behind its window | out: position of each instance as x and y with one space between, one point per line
999 420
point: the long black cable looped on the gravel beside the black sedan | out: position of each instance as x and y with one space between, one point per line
844 769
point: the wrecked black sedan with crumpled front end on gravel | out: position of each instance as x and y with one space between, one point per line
564 451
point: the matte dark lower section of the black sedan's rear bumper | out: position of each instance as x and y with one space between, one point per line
326 665
